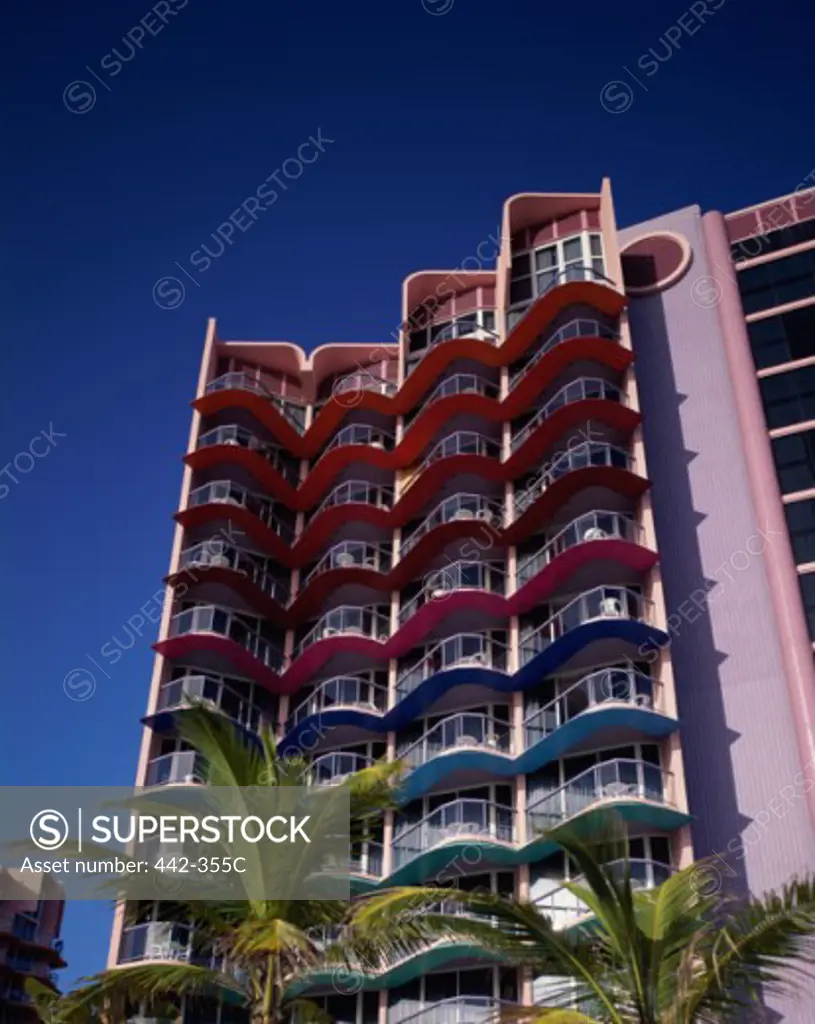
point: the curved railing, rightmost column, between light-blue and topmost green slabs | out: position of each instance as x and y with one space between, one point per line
622 779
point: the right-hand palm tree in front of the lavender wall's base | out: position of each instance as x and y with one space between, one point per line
674 955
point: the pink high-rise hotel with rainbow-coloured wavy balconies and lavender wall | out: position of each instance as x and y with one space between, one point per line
538 552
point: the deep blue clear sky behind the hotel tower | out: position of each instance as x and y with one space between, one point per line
436 120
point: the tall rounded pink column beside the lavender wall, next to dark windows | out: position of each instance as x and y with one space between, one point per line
792 624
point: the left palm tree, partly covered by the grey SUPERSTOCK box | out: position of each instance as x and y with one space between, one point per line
248 951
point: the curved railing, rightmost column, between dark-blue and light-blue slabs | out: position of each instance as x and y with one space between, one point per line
604 687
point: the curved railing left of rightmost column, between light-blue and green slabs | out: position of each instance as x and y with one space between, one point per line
459 819
